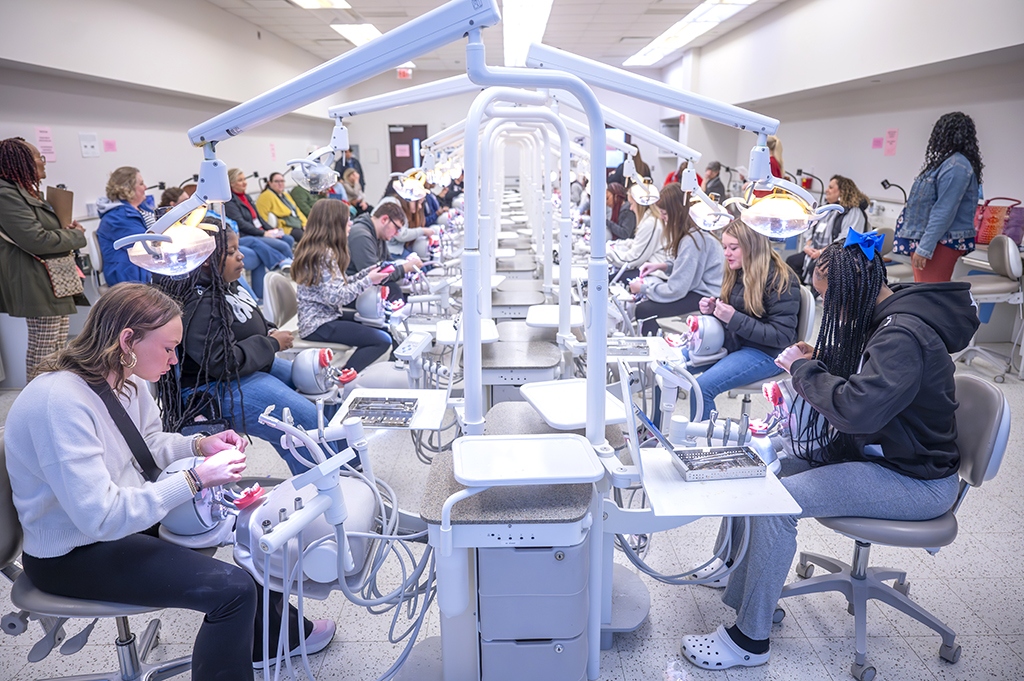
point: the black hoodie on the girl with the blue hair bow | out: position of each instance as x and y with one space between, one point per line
903 399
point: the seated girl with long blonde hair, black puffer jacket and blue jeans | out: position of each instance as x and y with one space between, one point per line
759 307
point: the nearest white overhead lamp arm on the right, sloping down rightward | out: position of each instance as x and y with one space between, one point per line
617 80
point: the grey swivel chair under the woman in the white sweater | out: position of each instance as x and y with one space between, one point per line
56 611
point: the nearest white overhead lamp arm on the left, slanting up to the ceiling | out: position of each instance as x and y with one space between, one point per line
436 29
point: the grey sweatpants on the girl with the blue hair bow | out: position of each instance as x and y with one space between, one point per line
854 489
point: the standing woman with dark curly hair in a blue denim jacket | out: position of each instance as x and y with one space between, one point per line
938 221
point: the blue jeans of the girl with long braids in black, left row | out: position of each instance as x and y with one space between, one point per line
261 391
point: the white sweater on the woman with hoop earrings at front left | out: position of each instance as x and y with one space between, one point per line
74 479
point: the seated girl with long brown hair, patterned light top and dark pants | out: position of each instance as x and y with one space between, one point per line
321 260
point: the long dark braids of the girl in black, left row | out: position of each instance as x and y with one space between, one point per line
205 281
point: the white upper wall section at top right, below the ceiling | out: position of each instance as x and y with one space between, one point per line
805 45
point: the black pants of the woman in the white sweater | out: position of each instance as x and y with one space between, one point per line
142 570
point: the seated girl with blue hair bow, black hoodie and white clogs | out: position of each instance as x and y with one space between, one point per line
882 380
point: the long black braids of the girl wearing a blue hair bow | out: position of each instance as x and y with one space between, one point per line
848 308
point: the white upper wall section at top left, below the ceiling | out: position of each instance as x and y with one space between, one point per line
183 47
